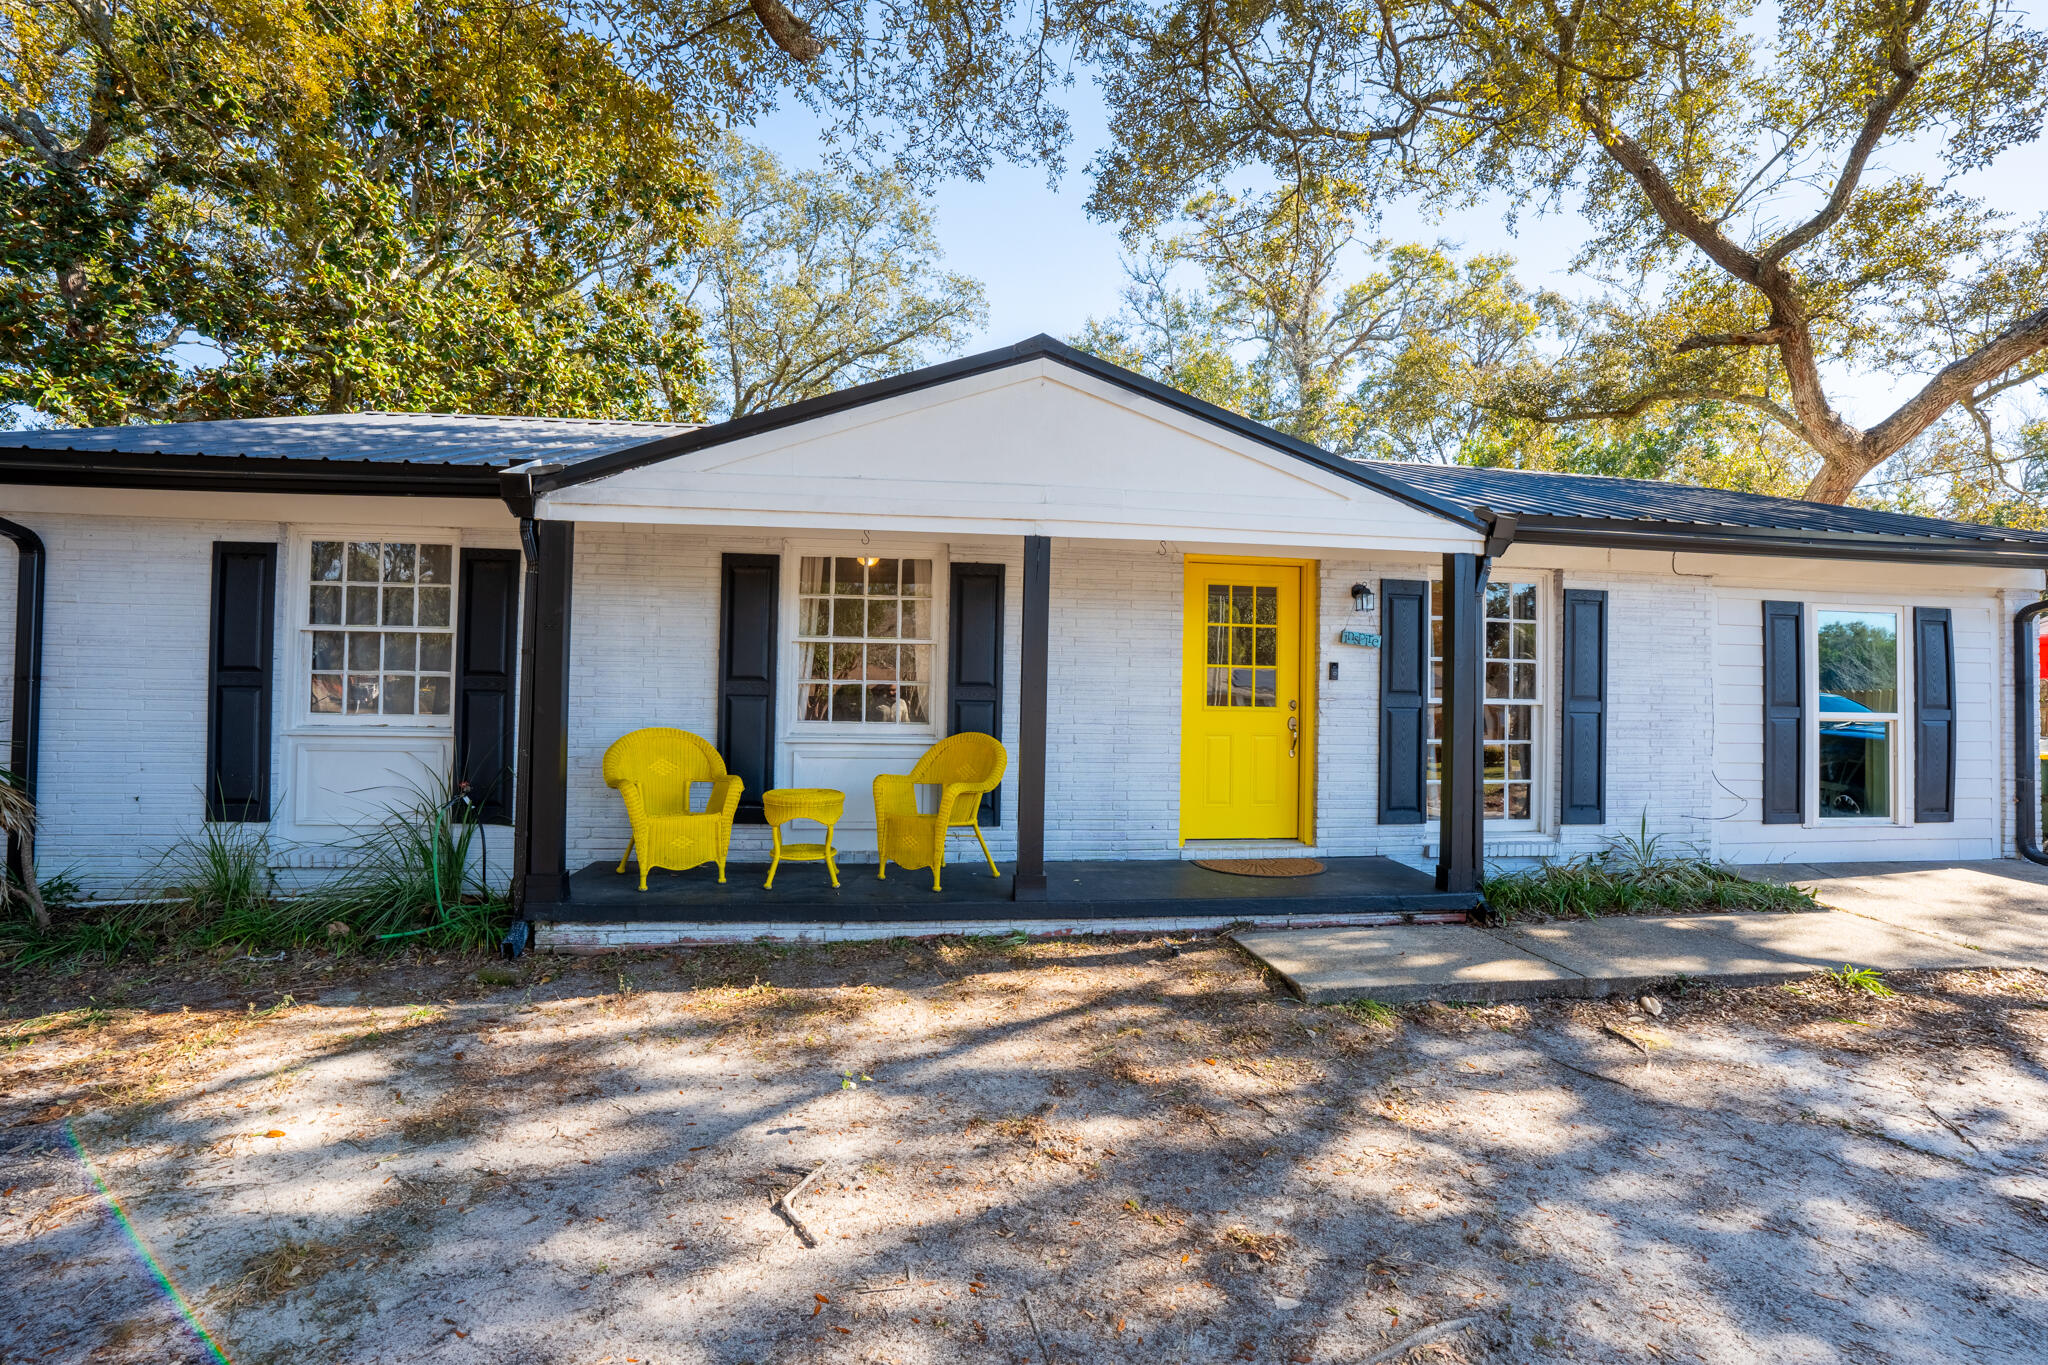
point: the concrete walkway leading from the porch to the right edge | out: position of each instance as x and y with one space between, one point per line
1895 918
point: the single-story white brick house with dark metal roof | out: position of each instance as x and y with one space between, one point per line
1754 678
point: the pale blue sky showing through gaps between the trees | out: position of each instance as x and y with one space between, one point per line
1050 267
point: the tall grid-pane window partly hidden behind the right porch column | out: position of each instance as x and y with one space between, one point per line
1508 746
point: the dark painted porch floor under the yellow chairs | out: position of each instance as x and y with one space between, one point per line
1152 889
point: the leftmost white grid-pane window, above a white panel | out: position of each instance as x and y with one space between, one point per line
380 621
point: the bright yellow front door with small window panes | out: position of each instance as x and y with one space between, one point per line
1242 705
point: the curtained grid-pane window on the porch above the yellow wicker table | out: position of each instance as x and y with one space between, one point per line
865 640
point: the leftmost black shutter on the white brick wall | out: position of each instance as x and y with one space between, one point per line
239 682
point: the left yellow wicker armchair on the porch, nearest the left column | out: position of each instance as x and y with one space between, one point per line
654 770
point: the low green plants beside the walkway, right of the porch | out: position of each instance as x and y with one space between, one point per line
1635 875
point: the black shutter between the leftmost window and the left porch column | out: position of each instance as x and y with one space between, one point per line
486 662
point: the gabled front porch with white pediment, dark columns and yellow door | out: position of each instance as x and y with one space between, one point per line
822 603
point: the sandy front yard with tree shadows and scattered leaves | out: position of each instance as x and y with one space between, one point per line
1078 1151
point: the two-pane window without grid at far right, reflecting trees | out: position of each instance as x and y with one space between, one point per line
1859 713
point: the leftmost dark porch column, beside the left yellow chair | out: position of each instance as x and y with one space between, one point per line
542 834
